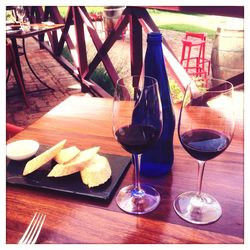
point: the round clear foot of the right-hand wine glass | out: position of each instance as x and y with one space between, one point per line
203 209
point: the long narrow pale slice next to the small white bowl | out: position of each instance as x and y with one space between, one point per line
43 158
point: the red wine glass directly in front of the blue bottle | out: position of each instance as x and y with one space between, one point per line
137 125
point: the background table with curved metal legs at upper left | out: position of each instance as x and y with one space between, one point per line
36 29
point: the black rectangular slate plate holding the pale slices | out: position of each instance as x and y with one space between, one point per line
69 184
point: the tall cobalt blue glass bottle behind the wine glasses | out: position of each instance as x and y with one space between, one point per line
158 160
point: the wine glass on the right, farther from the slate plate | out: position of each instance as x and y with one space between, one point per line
205 129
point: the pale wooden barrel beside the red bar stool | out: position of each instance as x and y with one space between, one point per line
227 59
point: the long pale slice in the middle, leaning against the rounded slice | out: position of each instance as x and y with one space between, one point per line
74 165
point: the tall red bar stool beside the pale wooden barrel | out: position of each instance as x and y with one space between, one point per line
195 64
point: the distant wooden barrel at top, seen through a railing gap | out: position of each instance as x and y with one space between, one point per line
111 14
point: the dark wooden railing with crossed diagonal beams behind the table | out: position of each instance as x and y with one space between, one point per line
138 20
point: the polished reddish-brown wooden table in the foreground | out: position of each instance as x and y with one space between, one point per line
86 122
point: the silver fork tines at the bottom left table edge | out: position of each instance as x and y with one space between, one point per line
32 232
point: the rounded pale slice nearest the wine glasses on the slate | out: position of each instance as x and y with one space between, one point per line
96 172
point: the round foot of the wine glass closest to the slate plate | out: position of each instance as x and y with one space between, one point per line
138 204
